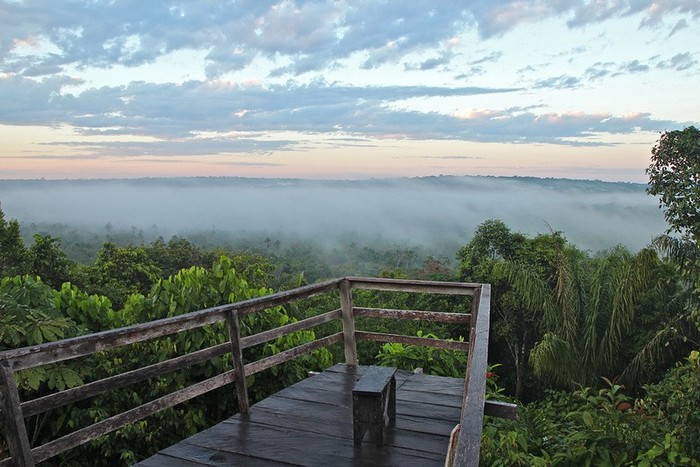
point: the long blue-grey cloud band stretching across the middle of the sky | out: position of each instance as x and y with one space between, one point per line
178 115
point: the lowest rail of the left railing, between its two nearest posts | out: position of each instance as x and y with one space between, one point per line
103 427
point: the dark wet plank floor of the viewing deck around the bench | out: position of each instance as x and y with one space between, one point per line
310 423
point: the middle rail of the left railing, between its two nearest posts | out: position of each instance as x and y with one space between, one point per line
52 401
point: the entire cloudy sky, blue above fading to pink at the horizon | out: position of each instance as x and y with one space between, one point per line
343 88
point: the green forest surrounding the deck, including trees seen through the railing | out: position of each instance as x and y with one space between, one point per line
599 349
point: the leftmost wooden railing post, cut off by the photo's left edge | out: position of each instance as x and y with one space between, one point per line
17 439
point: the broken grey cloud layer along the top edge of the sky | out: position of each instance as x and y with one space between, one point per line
311 35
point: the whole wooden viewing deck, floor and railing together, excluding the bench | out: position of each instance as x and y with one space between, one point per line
307 424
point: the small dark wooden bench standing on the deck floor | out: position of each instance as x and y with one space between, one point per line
373 402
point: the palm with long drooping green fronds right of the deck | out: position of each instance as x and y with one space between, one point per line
586 308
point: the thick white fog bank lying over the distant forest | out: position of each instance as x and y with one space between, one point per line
436 213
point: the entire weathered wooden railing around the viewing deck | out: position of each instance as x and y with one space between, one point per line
14 411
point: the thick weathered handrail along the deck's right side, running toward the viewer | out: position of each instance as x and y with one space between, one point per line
471 421
